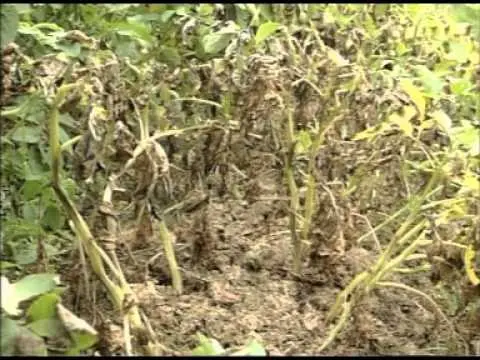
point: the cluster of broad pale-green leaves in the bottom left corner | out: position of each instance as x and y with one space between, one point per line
24 331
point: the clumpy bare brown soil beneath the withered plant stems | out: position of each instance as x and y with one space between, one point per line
238 287
